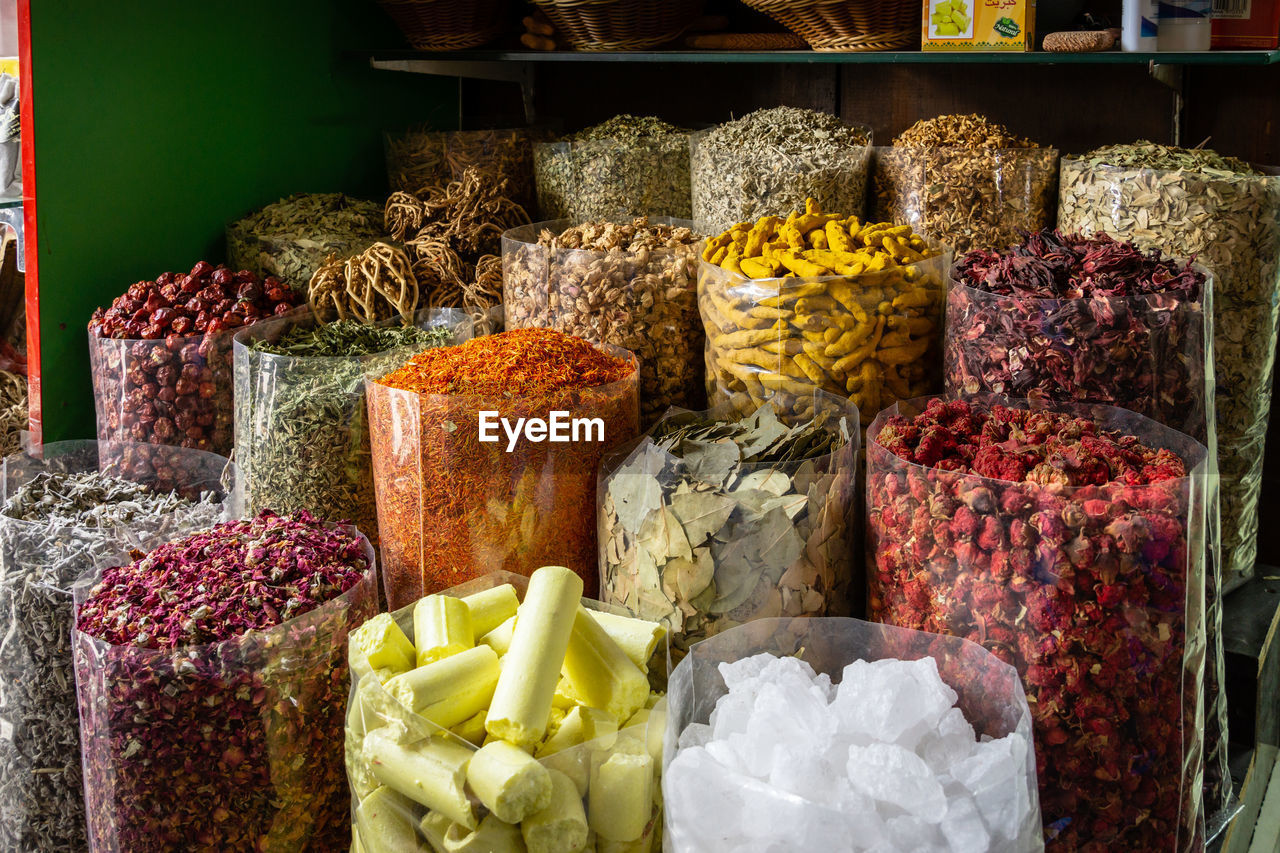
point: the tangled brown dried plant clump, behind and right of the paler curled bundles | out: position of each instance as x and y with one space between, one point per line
450 235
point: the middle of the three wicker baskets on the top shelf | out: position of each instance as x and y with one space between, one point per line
619 25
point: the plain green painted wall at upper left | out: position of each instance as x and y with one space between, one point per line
156 124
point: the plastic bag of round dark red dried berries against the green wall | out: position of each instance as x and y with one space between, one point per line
162 362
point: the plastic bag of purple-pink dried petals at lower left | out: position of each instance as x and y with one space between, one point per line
212 681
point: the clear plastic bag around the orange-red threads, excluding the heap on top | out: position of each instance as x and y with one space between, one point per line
452 508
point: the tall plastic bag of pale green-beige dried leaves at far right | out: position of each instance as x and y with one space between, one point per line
1227 216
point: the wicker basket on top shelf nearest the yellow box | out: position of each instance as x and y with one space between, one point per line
848 25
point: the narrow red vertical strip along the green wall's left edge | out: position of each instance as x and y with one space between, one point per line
29 216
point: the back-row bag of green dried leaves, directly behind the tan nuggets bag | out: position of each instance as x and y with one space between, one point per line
621 168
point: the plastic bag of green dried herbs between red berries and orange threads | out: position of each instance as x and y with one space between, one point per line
301 418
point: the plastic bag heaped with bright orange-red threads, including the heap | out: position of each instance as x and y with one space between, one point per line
486 457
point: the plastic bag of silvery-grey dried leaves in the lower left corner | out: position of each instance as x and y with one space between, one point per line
61 516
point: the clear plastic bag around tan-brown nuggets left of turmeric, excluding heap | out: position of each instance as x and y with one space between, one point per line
644 302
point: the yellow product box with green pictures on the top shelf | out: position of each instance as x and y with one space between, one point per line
980 25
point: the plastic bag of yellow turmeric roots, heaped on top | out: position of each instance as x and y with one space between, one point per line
821 302
